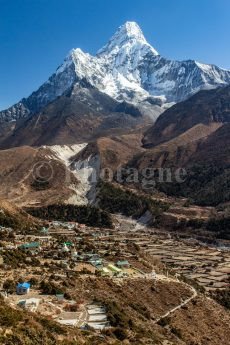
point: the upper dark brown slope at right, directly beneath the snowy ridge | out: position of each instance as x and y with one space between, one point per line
203 108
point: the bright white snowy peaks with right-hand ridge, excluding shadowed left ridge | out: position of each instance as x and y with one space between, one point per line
129 68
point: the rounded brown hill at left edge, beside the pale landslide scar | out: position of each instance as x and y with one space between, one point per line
23 170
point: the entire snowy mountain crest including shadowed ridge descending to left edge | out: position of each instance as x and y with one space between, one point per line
129 69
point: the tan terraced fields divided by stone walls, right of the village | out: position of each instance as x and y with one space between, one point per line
209 266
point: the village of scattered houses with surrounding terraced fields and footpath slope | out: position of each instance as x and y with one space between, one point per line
70 272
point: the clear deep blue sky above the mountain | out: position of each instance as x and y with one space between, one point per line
35 35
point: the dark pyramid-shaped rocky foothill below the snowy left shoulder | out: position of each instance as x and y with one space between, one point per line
80 115
